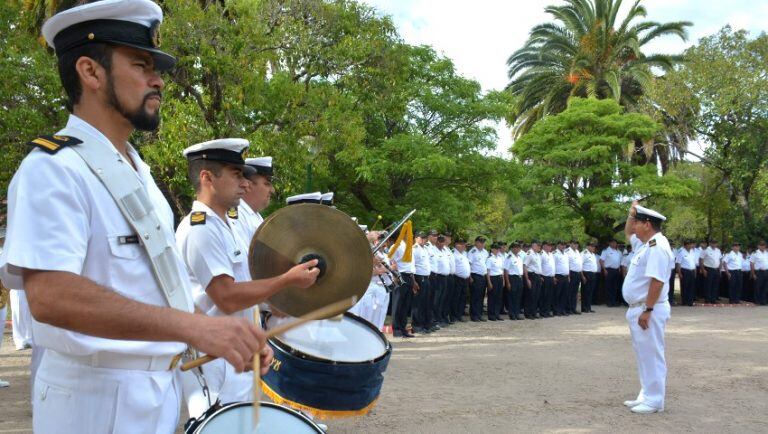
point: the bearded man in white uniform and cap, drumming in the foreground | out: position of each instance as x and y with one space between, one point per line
111 313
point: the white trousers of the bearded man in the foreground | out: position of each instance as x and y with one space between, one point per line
71 397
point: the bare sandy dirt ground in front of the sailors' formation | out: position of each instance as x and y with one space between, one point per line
555 375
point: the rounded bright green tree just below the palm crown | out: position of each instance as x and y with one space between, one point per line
578 168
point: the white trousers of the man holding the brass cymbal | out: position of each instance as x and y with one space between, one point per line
223 382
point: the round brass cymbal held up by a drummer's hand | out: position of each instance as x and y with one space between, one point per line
295 233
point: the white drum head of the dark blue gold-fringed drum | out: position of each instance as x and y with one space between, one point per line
350 340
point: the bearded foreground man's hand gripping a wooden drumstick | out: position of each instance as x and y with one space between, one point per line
234 339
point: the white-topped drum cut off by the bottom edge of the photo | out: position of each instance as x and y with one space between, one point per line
237 418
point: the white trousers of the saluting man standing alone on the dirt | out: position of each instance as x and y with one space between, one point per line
649 352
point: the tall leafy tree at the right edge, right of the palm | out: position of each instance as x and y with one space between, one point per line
725 78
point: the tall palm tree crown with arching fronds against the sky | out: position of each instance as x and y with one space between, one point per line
586 52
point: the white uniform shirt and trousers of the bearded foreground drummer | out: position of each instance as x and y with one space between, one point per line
62 218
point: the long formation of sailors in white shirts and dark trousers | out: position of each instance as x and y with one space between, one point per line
446 281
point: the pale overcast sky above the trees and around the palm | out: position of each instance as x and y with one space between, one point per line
479 35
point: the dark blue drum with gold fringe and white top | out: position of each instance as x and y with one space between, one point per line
328 368
